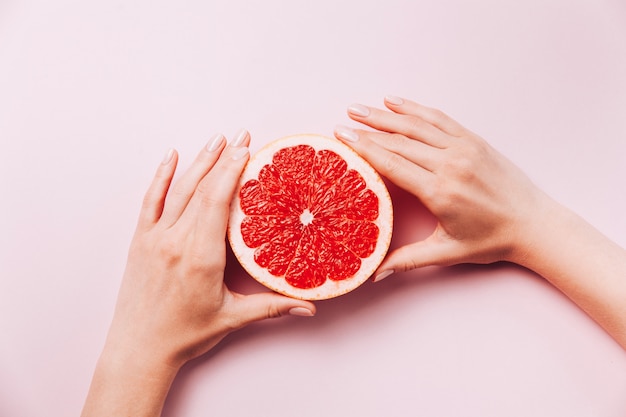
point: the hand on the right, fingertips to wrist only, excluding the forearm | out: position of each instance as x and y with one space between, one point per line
481 200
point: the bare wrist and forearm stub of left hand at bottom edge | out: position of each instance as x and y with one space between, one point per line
128 384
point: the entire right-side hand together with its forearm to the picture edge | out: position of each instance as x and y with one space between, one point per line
487 209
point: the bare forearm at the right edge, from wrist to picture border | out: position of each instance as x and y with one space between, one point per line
580 261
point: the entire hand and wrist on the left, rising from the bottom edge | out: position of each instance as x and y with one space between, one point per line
173 305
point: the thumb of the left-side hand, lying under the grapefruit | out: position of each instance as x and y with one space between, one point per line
267 305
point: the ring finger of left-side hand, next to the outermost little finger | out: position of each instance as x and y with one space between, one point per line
184 188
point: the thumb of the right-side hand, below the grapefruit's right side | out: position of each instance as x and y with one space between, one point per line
434 250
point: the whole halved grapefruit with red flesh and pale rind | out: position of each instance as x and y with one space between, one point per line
311 218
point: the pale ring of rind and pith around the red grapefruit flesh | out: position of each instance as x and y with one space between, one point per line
330 288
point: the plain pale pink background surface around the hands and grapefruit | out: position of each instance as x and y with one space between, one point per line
93 93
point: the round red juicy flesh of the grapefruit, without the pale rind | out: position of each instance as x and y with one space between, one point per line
309 217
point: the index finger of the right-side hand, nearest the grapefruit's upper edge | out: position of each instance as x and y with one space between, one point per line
406 174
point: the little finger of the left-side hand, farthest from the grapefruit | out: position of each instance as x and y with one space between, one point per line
153 201
